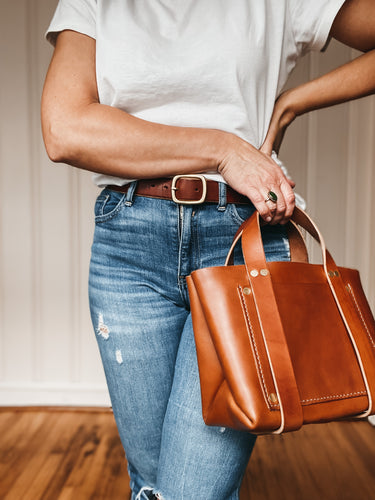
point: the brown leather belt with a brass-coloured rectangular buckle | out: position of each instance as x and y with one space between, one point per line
183 189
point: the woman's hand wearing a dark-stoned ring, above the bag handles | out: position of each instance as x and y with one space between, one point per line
254 174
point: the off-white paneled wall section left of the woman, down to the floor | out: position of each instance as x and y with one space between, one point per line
48 352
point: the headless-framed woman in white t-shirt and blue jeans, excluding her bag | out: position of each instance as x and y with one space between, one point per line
148 90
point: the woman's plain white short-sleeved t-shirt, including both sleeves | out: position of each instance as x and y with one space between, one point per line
197 63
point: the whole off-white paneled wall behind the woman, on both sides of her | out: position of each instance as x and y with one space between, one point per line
48 352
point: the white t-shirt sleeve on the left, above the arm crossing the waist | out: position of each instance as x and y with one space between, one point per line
76 15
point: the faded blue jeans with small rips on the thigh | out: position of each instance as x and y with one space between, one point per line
143 250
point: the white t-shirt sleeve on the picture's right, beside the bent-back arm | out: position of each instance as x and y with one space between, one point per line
312 21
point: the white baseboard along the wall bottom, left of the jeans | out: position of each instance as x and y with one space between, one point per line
41 394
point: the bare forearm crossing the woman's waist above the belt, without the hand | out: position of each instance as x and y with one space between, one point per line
107 140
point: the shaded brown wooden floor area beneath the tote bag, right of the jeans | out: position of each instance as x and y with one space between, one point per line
327 461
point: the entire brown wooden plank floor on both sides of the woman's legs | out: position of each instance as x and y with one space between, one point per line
57 454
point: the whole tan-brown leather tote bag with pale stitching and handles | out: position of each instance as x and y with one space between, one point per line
282 344
